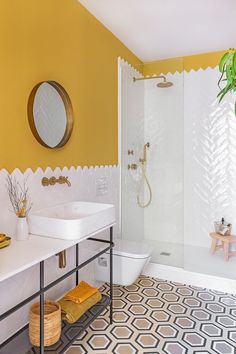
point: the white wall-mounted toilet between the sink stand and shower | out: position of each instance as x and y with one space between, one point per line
129 259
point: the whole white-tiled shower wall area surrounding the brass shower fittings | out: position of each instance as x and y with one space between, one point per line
191 162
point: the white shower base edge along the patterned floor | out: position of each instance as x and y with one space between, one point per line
191 278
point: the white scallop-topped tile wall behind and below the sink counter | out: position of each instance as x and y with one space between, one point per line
83 187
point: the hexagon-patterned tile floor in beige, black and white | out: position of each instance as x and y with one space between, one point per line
161 317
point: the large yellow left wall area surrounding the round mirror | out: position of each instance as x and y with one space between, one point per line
58 40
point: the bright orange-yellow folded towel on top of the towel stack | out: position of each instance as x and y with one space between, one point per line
82 292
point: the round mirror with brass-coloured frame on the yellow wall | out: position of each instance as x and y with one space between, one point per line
50 114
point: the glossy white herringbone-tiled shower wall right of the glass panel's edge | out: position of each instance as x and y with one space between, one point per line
210 156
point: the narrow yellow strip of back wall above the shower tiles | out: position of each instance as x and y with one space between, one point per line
187 63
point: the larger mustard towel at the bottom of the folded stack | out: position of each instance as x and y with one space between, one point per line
71 311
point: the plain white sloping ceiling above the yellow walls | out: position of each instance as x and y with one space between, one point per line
157 29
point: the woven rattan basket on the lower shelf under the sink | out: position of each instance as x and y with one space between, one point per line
52 323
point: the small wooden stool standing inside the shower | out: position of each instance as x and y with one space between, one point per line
225 243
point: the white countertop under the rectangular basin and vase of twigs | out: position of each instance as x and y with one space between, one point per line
21 255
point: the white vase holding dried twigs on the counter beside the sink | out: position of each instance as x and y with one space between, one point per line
20 201
